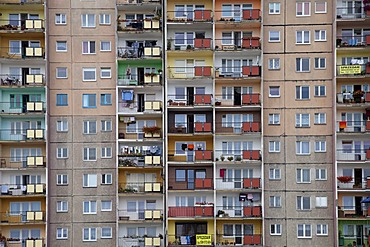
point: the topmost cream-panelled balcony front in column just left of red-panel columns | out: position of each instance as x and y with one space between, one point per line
148 25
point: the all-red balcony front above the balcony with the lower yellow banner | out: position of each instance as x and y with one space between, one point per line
191 212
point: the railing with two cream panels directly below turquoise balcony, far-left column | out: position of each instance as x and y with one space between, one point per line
22 161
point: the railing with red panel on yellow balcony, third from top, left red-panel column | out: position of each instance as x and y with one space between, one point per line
190 72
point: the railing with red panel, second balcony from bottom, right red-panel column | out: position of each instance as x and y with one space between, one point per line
238 211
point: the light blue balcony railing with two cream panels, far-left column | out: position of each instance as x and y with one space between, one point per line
22 135
